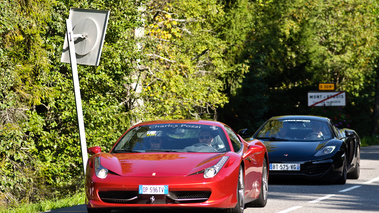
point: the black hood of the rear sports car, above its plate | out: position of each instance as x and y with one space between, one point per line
281 151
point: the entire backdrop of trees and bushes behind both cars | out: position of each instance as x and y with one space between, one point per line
239 62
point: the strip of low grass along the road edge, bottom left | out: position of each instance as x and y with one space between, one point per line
45 206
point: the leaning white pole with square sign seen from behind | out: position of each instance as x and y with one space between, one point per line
83 43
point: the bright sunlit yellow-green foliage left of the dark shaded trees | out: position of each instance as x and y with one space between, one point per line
39 134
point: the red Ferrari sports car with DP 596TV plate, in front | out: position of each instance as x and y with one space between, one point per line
178 164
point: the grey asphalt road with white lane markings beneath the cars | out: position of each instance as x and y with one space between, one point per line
360 195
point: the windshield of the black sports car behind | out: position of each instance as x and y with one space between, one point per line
295 130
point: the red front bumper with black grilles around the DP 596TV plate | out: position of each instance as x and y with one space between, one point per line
190 191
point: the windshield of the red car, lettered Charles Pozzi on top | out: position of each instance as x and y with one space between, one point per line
173 138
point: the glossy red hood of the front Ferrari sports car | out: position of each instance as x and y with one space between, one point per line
162 164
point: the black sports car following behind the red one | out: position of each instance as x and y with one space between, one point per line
310 147
